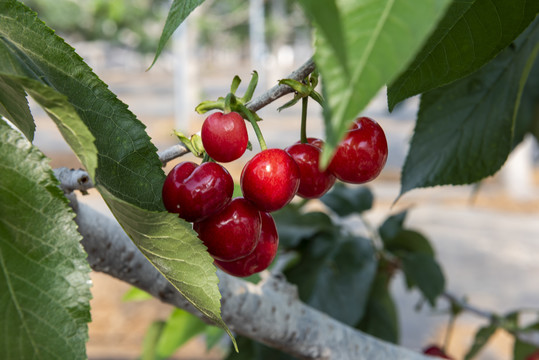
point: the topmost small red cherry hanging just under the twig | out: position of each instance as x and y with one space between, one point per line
224 136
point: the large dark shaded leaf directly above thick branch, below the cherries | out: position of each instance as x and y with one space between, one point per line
334 275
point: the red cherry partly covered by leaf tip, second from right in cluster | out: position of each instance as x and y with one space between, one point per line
313 183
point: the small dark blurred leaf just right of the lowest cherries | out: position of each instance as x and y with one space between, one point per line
294 226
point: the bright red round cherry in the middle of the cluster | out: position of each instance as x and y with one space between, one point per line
270 179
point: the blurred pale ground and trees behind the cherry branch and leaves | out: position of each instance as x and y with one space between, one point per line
486 237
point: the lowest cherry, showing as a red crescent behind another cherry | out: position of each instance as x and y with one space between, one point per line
261 257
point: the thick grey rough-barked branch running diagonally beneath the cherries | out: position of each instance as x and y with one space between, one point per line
269 312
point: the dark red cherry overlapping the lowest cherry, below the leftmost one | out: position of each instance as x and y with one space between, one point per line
232 233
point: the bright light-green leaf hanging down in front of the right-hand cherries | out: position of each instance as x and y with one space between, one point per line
381 37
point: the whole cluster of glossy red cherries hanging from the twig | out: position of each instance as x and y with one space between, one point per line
240 233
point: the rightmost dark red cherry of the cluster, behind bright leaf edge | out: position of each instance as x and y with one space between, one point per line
362 154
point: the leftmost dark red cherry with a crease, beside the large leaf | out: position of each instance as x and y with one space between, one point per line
197 192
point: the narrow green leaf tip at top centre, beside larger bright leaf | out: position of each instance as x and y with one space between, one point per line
326 18
